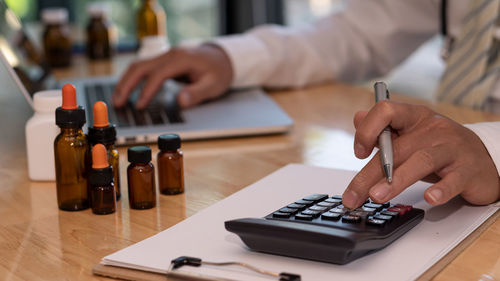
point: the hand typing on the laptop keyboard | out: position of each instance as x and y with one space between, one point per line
207 68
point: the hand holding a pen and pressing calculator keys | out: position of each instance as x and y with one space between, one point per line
426 146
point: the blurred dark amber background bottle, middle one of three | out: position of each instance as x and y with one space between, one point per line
98 33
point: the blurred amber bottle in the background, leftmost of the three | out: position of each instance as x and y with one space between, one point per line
56 37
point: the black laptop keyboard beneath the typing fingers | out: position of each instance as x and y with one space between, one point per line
157 112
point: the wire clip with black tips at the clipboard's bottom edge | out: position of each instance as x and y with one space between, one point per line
197 262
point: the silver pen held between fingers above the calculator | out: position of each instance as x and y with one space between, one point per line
385 138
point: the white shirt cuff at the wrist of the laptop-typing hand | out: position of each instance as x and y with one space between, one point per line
248 55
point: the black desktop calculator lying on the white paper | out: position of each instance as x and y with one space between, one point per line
318 227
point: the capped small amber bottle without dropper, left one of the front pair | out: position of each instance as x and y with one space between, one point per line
141 178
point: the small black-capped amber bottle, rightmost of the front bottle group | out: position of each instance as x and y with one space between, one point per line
170 167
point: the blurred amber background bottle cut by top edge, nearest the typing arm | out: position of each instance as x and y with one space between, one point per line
151 20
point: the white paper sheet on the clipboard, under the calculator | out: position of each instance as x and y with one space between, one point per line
203 235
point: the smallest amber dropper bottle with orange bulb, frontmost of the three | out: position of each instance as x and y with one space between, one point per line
101 182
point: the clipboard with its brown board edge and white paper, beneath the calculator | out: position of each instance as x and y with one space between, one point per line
292 178
